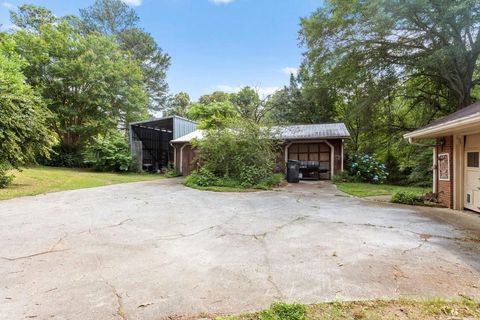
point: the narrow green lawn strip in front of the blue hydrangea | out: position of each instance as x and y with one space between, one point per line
368 189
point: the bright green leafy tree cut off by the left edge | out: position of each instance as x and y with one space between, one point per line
24 119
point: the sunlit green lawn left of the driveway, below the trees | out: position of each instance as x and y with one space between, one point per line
38 180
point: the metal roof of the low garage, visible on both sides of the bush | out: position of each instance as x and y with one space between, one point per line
294 132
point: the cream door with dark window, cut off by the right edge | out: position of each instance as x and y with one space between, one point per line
472 173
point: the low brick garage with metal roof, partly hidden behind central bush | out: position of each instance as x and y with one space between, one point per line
322 143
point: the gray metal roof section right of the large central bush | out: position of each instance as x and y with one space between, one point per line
312 131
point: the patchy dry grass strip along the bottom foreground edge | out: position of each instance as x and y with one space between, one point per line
376 309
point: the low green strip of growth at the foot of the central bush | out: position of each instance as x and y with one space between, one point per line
231 185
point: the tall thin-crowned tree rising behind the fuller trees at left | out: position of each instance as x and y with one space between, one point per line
115 18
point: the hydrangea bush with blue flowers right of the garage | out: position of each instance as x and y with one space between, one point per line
366 168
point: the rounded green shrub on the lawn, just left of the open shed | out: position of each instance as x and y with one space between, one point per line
109 152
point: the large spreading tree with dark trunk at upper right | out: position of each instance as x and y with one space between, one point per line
434 39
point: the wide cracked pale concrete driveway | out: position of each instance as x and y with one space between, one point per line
152 250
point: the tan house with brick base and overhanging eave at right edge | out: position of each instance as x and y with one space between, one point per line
456 166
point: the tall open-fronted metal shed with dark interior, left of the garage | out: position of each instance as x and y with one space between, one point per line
150 140
